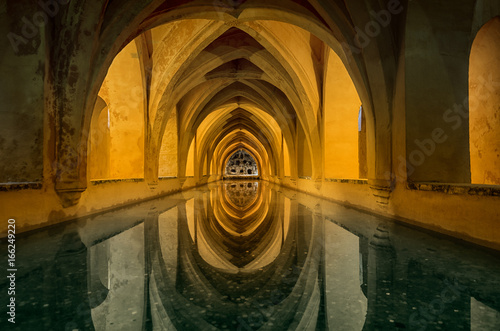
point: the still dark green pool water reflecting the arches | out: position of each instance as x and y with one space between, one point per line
245 256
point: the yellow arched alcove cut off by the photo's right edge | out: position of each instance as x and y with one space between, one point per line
484 101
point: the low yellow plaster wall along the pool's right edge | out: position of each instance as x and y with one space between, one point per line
471 217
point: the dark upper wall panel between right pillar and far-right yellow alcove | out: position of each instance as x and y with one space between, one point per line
437 54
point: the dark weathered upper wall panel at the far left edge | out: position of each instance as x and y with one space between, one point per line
22 73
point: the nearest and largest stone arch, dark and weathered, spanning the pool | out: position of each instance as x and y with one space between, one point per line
331 24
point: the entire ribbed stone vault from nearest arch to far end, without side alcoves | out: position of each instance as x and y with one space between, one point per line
244 60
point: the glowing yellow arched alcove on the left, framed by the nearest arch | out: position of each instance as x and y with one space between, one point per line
121 154
